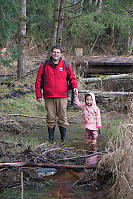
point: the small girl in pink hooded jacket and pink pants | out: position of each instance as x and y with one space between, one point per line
91 117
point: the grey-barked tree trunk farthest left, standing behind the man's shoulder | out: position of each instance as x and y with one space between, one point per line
22 41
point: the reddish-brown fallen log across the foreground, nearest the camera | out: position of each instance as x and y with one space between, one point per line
43 165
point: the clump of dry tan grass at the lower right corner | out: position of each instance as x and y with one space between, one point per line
120 161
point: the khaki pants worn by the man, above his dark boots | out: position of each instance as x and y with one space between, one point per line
56 108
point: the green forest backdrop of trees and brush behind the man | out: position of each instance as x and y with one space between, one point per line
98 27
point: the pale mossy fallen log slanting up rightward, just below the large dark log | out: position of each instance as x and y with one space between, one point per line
109 77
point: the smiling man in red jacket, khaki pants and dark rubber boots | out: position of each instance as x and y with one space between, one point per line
55 91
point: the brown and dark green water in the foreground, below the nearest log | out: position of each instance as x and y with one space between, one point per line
59 186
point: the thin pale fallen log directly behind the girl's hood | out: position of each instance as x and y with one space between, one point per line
106 93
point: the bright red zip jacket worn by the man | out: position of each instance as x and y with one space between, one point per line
55 84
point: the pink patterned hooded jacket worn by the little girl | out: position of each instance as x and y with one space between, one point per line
91 114
